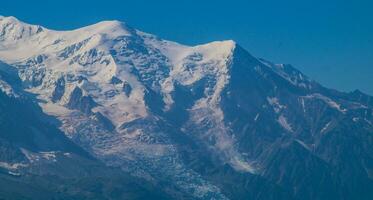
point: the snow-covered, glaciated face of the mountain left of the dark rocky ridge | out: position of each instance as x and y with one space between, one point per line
103 80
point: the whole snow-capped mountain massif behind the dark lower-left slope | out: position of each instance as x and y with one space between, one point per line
203 122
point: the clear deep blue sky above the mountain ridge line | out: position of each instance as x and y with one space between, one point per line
331 41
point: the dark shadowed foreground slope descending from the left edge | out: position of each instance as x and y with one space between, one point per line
37 161
